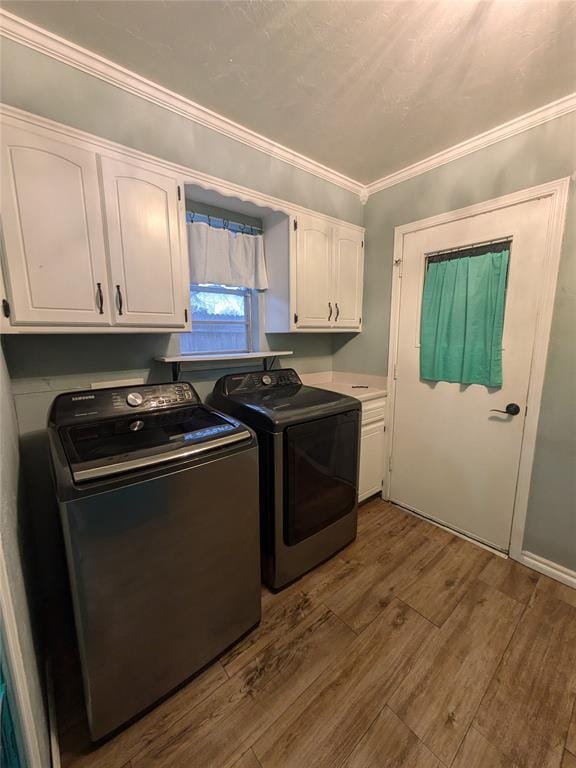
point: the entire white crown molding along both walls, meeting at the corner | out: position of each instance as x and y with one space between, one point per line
26 33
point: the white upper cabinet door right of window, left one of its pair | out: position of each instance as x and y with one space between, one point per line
314 300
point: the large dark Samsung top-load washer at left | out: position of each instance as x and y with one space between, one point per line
158 497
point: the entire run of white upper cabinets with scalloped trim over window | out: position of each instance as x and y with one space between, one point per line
93 239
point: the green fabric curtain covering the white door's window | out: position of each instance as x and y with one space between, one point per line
463 318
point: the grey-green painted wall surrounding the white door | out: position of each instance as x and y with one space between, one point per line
542 154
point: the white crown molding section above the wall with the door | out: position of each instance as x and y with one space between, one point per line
504 131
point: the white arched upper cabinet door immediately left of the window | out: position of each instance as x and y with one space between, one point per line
142 215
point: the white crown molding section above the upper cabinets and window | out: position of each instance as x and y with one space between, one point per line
24 32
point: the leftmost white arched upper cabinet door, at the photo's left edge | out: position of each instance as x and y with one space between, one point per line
55 264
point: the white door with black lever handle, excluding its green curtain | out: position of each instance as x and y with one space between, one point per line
453 458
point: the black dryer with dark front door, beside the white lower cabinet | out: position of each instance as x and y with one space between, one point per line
309 441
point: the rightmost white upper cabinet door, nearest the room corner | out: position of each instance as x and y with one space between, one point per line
348 275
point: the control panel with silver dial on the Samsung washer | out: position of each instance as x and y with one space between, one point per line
107 403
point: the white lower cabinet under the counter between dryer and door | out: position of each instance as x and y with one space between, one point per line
372 448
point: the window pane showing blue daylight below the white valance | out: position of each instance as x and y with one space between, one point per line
221 320
